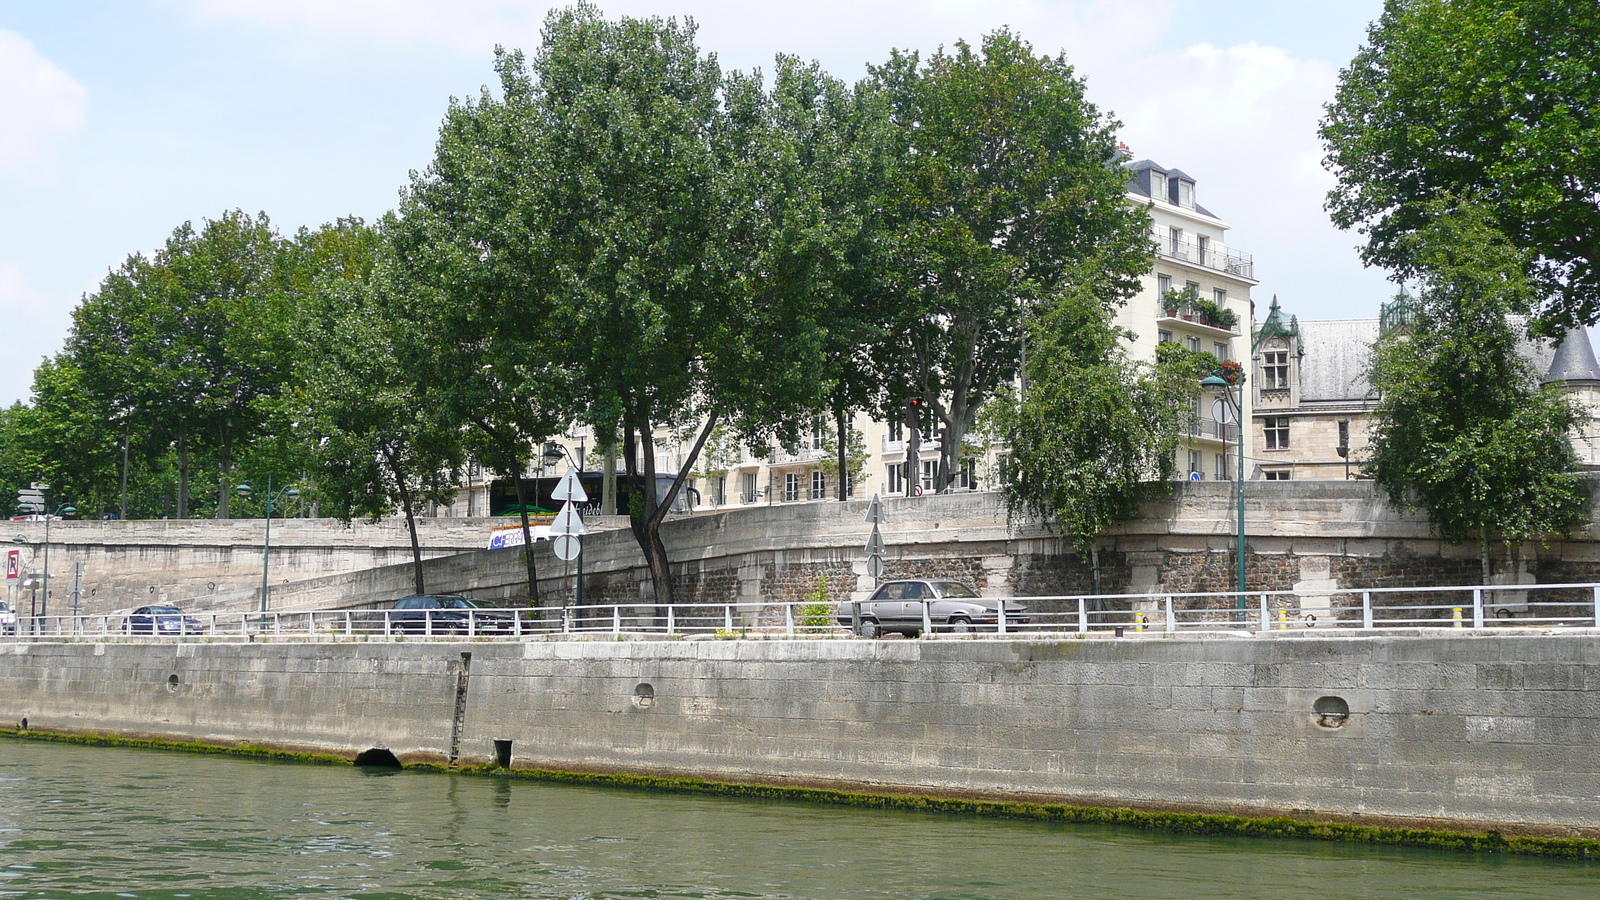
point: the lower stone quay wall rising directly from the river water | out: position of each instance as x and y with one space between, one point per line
1441 731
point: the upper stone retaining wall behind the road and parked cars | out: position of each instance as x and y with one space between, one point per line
1302 536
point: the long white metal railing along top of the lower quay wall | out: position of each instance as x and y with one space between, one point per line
1257 613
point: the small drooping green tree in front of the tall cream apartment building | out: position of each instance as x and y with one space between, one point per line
1095 435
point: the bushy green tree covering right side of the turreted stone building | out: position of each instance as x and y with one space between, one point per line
1463 428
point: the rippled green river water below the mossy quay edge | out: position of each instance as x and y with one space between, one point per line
132 824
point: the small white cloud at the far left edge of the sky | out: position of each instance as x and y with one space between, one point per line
39 105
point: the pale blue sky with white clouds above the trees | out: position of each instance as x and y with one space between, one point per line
124 119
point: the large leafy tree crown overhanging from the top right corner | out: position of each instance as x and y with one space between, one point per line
1490 102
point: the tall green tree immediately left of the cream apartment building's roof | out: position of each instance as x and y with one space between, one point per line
1007 193
